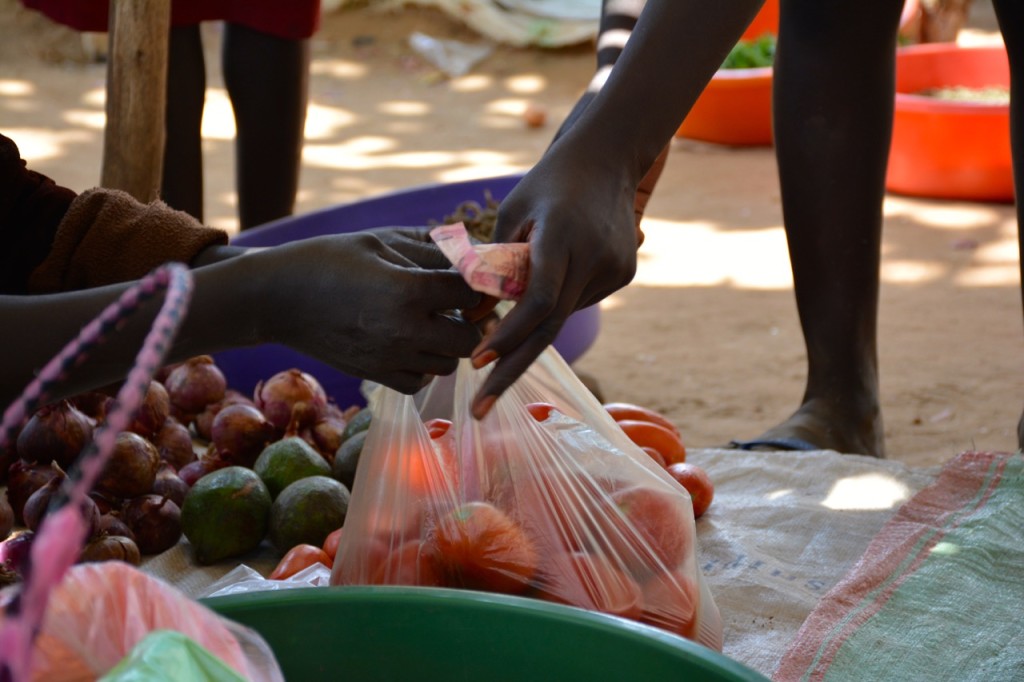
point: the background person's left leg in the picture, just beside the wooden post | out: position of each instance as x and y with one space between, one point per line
183 183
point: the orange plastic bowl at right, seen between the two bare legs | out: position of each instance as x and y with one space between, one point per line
951 150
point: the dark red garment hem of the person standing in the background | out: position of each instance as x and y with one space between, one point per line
284 19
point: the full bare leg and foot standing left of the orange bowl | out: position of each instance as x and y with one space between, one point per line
833 121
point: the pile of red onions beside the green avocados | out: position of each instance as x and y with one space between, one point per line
190 424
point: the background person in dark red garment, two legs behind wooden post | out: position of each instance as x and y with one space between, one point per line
266 65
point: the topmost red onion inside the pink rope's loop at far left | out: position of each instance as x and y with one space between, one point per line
57 433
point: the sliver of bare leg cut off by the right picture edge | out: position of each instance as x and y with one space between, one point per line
1011 17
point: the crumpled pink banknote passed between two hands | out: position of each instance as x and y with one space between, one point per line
498 270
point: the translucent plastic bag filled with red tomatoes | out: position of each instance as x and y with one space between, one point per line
545 498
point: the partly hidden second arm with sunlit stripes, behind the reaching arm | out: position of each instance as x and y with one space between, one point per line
618 20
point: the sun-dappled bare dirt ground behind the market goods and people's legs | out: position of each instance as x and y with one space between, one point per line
708 332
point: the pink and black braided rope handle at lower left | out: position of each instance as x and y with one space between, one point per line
60 539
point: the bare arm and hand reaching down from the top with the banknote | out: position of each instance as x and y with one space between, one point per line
576 207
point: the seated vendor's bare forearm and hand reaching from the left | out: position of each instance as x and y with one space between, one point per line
367 304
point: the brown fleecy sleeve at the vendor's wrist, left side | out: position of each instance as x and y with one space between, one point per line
108 237
